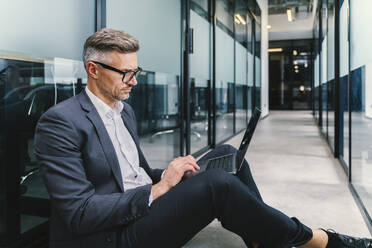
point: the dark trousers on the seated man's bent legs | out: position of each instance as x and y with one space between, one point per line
234 200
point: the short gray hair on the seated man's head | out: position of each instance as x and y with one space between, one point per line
107 40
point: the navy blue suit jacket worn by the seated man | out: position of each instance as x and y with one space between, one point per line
82 175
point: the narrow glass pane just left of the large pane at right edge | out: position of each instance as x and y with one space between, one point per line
344 78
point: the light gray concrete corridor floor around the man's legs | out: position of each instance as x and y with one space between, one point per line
296 173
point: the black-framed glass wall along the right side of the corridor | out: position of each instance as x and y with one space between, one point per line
354 98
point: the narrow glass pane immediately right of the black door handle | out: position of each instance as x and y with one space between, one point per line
199 75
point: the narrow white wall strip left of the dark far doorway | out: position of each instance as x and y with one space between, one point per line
264 58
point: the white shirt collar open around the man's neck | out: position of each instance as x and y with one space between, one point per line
104 110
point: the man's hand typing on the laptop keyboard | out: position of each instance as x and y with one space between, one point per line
174 174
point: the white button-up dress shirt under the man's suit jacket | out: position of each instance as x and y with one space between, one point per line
126 151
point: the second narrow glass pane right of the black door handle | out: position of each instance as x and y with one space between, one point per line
224 70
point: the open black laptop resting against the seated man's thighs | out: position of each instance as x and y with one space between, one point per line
232 162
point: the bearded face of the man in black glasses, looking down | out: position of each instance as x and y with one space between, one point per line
110 83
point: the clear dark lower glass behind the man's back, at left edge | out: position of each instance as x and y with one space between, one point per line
27 89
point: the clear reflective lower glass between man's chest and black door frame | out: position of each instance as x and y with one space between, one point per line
155 101
